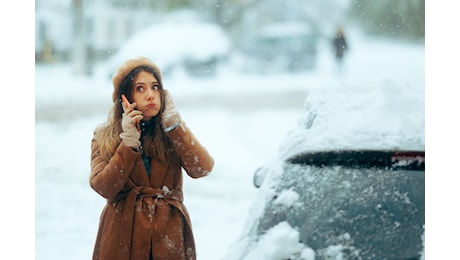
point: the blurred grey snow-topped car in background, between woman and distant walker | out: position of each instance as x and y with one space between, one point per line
287 46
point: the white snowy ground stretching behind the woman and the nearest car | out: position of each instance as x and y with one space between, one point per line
241 119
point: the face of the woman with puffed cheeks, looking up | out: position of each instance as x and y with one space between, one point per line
146 94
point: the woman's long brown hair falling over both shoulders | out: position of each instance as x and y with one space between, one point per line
155 142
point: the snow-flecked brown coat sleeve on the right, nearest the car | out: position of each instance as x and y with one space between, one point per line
196 160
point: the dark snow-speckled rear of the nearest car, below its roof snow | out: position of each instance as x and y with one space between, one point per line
373 207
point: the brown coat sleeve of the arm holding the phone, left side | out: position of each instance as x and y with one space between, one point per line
109 177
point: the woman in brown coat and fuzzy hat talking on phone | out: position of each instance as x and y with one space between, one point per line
137 158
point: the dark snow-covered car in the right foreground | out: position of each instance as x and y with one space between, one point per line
348 183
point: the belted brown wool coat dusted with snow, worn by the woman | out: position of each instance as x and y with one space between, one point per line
146 215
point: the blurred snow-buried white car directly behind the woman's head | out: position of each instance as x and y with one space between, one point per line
193 46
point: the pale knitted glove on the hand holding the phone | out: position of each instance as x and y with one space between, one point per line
129 123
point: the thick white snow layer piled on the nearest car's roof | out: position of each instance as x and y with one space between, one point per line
385 116
